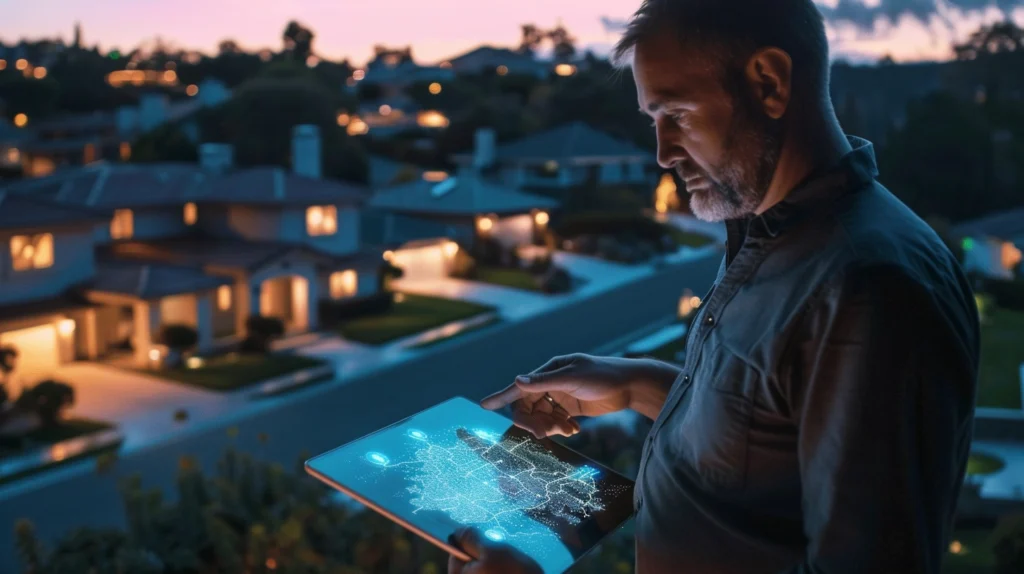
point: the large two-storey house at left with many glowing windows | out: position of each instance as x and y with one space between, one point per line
100 259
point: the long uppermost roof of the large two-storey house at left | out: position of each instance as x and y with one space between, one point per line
138 186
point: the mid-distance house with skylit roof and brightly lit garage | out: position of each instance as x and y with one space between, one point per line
425 220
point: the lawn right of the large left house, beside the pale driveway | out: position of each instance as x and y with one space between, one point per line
412 316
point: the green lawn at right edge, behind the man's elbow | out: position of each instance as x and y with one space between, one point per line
1002 356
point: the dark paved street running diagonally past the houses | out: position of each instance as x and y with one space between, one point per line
322 417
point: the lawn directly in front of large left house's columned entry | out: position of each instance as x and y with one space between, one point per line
235 371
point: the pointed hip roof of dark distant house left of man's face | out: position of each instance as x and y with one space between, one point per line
570 142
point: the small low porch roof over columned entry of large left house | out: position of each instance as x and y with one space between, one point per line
151 281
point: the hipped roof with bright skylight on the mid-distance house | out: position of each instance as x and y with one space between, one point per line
464 195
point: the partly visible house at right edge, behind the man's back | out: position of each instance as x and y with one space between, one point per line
993 244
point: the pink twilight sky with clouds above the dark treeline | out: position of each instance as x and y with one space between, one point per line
437 29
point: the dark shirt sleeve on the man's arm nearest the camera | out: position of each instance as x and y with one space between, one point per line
883 393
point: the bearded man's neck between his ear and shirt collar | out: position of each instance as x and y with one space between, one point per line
809 147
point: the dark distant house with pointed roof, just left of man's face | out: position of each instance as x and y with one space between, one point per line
566 157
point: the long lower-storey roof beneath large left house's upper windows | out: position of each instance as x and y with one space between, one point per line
231 254
